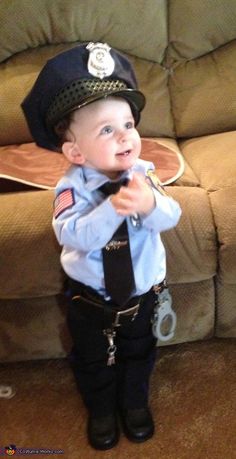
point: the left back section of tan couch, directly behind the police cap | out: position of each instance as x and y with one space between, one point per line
31 32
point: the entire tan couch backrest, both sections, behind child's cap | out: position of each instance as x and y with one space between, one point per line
183 51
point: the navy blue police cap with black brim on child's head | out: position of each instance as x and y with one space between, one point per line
73 79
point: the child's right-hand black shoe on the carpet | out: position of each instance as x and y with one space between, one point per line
138 424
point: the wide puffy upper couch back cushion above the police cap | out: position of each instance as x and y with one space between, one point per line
126 25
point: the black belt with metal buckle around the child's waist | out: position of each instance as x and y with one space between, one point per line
113 315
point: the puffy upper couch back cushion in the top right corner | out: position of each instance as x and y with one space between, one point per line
198 27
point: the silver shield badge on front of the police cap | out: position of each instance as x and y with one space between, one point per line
100 63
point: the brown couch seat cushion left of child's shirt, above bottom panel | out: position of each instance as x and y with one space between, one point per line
29 253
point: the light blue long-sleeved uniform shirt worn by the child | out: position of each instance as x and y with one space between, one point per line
86 226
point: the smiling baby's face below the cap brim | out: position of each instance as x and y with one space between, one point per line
104 137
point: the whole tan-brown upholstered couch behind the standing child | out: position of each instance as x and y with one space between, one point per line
184 53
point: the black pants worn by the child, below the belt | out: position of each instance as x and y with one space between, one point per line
122 385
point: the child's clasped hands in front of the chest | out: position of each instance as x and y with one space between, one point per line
136 198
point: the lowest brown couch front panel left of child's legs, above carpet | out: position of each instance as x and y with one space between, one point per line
33 328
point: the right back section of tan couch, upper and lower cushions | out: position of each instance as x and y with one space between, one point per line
202 56
